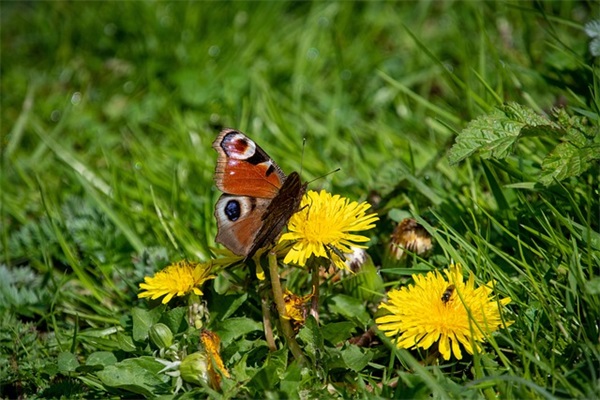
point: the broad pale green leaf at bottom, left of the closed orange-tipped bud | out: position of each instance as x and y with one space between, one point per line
137 375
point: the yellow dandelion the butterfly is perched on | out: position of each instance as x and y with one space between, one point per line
323 228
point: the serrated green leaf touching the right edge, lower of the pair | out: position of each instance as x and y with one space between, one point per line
568 160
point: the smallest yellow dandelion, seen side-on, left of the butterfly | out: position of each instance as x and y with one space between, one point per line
177 279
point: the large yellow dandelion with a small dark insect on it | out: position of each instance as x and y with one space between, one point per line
449 312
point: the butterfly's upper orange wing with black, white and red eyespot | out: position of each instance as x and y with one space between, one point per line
243 168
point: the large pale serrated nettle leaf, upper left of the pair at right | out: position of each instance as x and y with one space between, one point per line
494 135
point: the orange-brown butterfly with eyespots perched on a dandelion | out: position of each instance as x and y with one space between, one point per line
258 198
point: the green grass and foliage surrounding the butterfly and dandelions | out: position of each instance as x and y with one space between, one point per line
108 115
